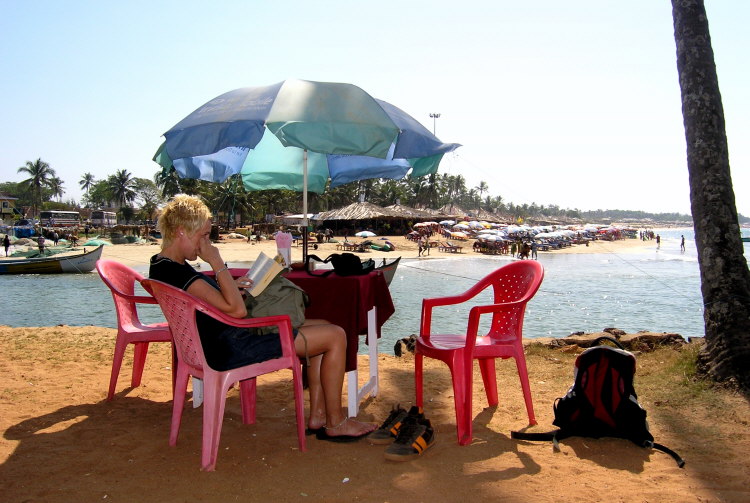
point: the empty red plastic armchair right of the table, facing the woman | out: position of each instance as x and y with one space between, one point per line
514 285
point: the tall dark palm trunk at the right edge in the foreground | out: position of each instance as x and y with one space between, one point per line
725 278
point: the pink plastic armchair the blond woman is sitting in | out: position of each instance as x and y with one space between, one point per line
180 308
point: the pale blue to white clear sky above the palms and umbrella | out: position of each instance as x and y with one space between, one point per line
569 103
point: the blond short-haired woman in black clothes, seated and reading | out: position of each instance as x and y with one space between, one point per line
185 224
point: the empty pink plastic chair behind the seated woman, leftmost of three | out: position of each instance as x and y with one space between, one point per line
121 281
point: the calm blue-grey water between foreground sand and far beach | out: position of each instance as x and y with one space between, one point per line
657 290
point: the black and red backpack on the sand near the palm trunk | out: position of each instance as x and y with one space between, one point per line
602 401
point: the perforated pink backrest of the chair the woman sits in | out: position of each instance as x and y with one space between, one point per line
180 308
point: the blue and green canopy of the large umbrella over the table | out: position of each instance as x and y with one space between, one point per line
265 133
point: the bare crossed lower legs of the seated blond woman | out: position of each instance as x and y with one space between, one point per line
326 349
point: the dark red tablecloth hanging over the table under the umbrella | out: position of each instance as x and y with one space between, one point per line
345 301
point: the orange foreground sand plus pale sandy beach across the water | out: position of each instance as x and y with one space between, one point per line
62 441
